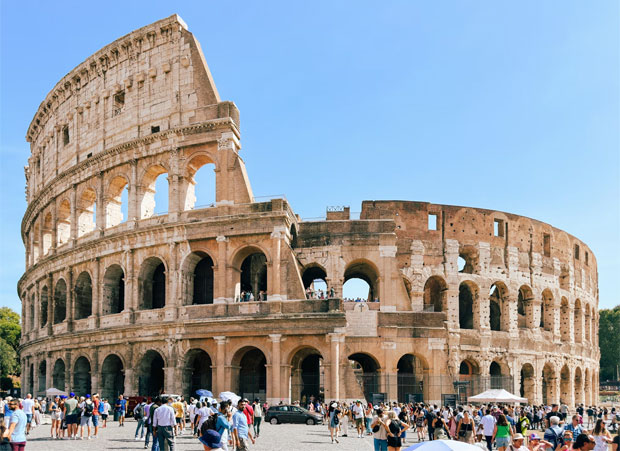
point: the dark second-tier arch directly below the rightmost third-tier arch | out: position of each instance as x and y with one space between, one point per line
198 278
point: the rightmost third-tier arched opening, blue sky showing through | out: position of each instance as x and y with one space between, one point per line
200 183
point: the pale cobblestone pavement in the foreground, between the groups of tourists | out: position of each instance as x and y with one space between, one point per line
289 437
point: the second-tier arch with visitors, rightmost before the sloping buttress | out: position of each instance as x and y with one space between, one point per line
252 263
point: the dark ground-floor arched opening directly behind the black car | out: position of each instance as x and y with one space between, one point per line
307 376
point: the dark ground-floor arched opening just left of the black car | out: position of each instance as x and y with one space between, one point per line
252 377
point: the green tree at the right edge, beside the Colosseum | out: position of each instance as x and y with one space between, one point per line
609 342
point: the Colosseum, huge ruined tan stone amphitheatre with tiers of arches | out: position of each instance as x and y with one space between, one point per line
119 299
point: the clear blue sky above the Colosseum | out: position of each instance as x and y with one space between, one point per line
511 106
